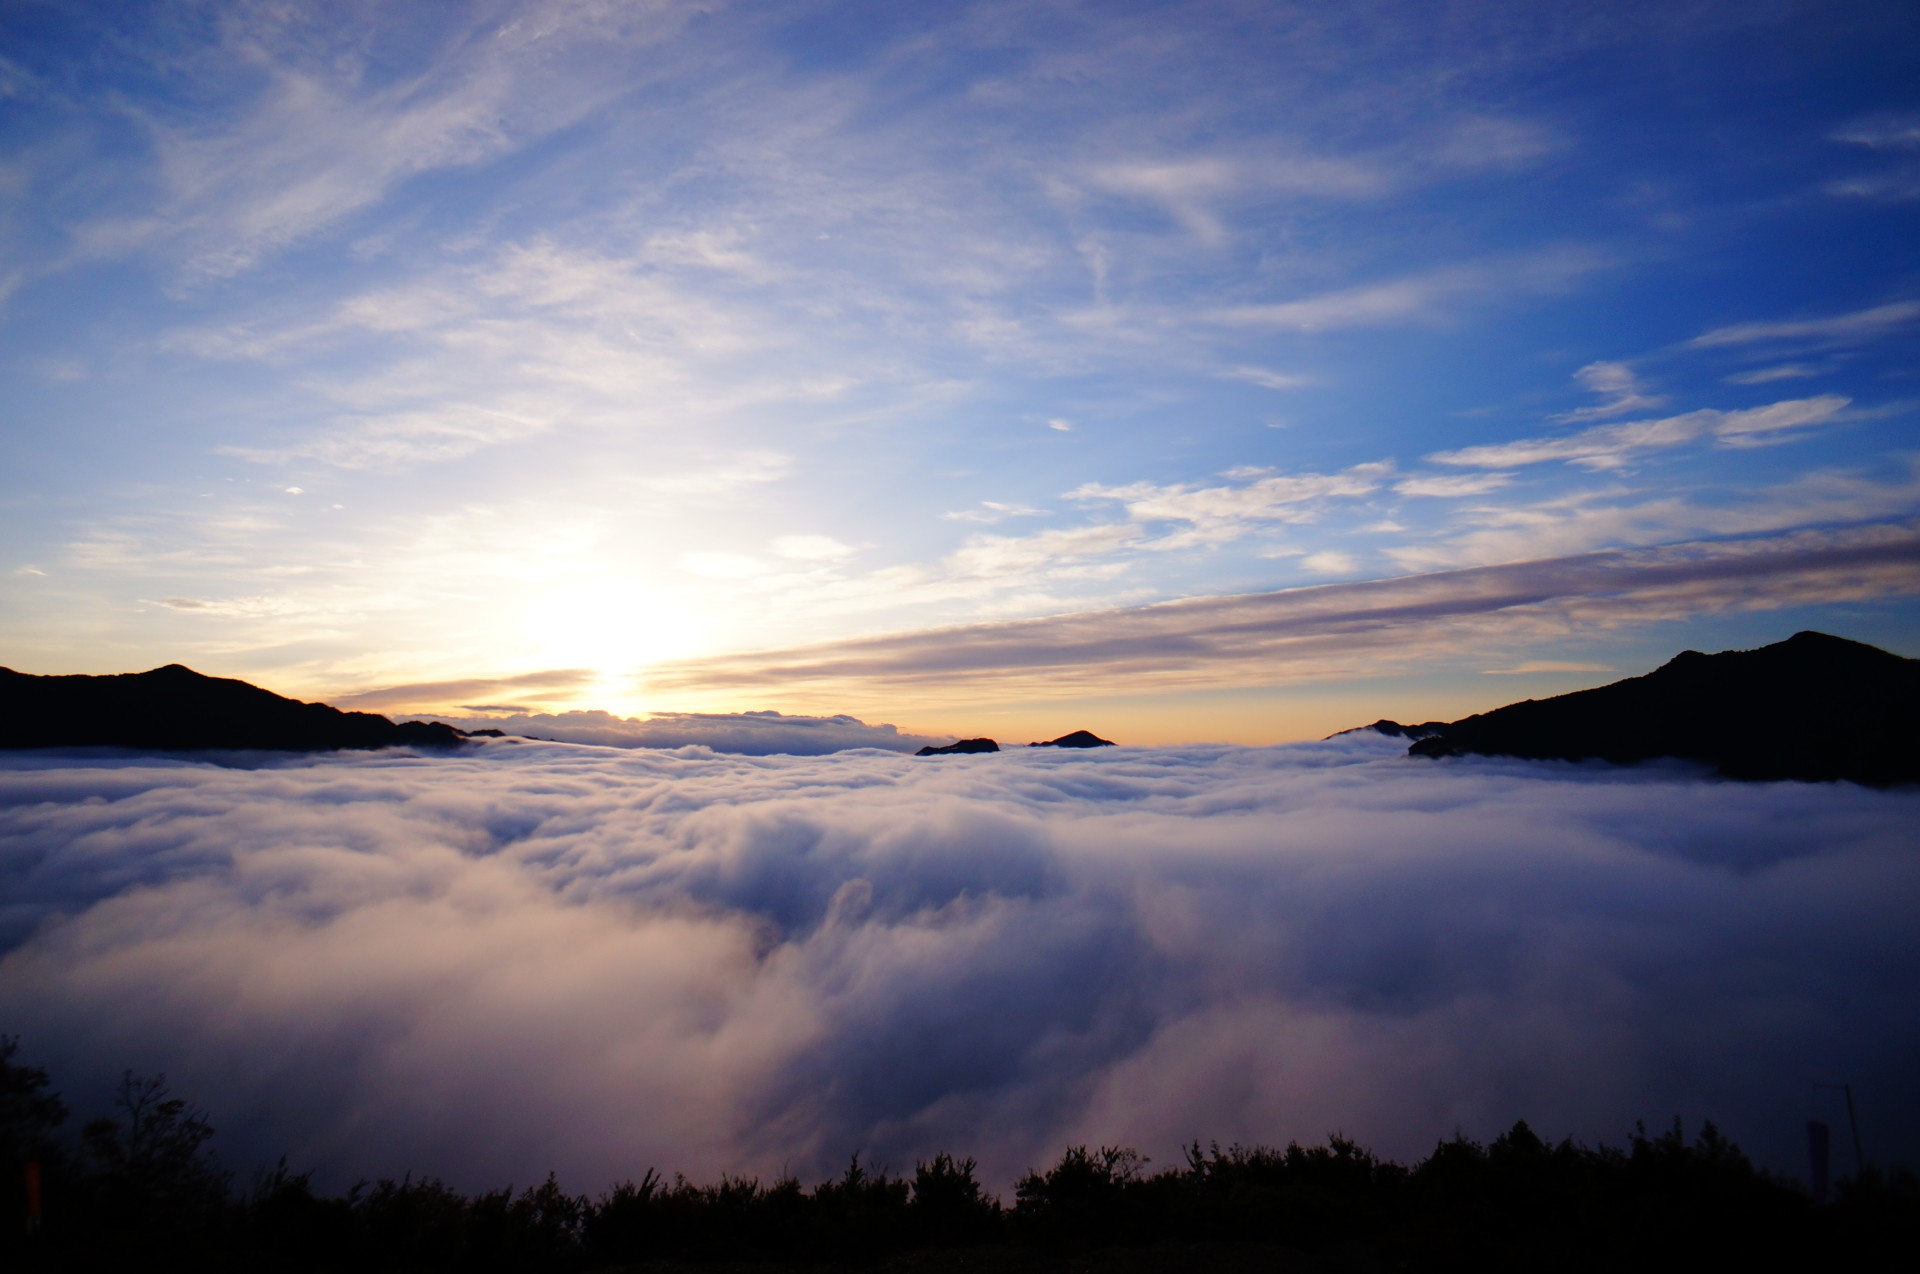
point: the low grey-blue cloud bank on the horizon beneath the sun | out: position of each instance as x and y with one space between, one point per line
754 734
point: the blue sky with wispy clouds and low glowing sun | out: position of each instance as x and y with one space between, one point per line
1205 371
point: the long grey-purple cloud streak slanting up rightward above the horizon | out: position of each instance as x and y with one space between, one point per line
1337 630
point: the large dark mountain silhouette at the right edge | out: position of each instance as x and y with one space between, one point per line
1813 709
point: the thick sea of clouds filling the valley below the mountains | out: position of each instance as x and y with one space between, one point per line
539 956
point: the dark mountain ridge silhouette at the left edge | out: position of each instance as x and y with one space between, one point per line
176 709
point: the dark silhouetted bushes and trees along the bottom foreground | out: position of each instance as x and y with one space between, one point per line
139 1191
